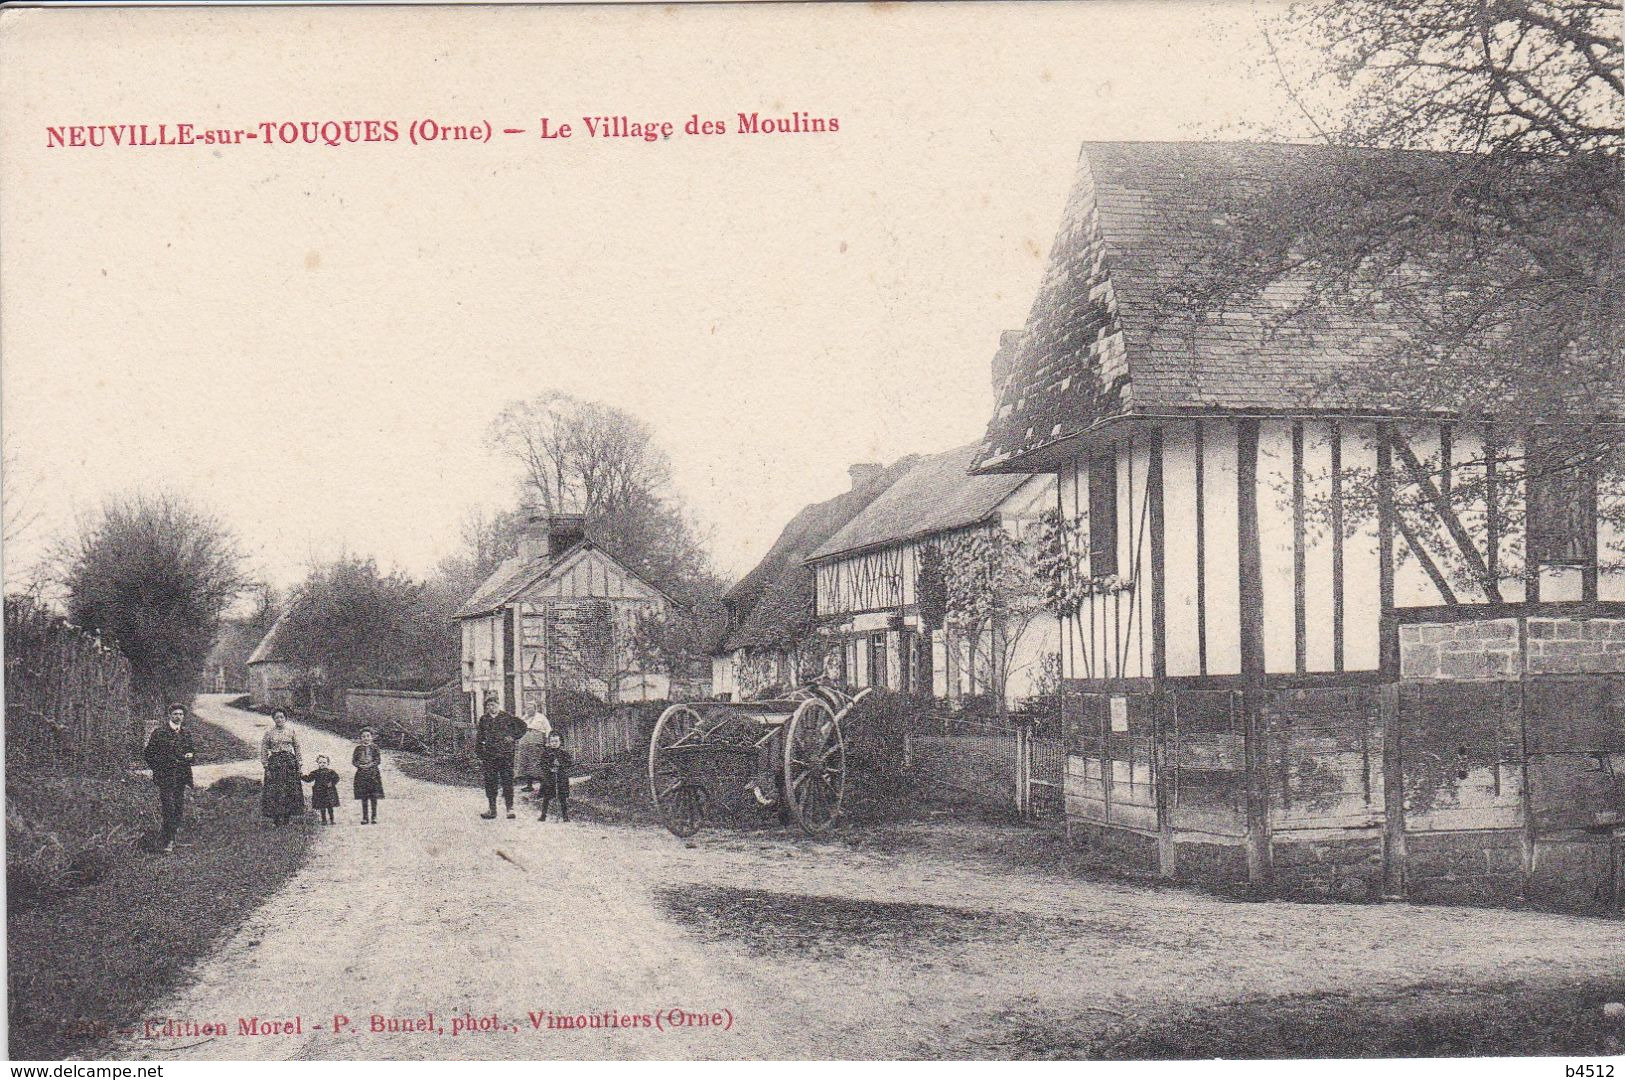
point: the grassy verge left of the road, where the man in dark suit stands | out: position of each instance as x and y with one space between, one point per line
89 954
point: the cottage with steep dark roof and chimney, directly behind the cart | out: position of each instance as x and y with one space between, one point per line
771 639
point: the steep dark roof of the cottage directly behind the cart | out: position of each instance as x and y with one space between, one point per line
773 605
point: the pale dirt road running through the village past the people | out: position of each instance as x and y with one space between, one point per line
805 949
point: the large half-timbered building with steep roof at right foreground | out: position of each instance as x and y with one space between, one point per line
1301 649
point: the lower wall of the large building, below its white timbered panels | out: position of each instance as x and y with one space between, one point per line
1507 737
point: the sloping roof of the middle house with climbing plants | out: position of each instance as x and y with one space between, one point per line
935 496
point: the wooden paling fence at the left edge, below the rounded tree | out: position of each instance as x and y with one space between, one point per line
69 699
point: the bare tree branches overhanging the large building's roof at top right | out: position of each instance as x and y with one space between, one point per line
1497 254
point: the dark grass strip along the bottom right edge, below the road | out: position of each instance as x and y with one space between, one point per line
1504 1021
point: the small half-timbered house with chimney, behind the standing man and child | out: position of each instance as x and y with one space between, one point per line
561 615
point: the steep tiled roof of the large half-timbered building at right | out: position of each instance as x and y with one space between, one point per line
1109 335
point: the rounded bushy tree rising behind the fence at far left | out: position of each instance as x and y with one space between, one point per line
155 576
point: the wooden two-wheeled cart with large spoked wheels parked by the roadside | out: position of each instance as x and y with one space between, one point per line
696 751
